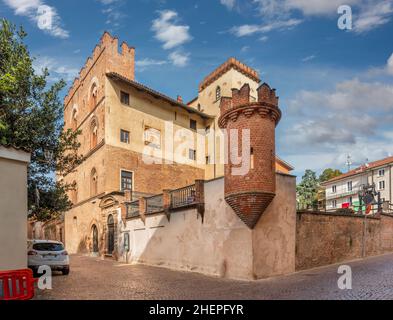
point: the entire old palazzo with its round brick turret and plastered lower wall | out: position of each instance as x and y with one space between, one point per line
122 203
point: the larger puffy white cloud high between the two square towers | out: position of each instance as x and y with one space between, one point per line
168 31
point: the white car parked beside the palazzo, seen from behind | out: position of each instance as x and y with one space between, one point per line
48 253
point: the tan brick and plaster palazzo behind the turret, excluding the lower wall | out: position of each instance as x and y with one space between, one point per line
113 113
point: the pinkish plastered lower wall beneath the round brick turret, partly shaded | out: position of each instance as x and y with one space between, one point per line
220 245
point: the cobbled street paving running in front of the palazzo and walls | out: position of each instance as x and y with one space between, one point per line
92 278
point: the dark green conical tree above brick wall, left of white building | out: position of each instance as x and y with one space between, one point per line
306 190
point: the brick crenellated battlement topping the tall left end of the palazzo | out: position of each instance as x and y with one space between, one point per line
121 62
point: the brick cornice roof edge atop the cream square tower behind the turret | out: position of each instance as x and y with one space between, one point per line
225 67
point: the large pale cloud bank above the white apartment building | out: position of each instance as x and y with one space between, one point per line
324 126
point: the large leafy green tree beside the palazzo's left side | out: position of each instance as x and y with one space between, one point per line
31 117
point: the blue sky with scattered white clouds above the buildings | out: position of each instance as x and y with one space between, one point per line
335 86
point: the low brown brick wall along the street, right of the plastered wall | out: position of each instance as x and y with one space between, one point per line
323 239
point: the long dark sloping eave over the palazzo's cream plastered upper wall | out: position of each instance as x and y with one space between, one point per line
156 94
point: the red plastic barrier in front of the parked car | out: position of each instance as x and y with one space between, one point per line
16 285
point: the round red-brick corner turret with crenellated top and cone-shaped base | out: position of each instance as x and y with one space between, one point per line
250 192
